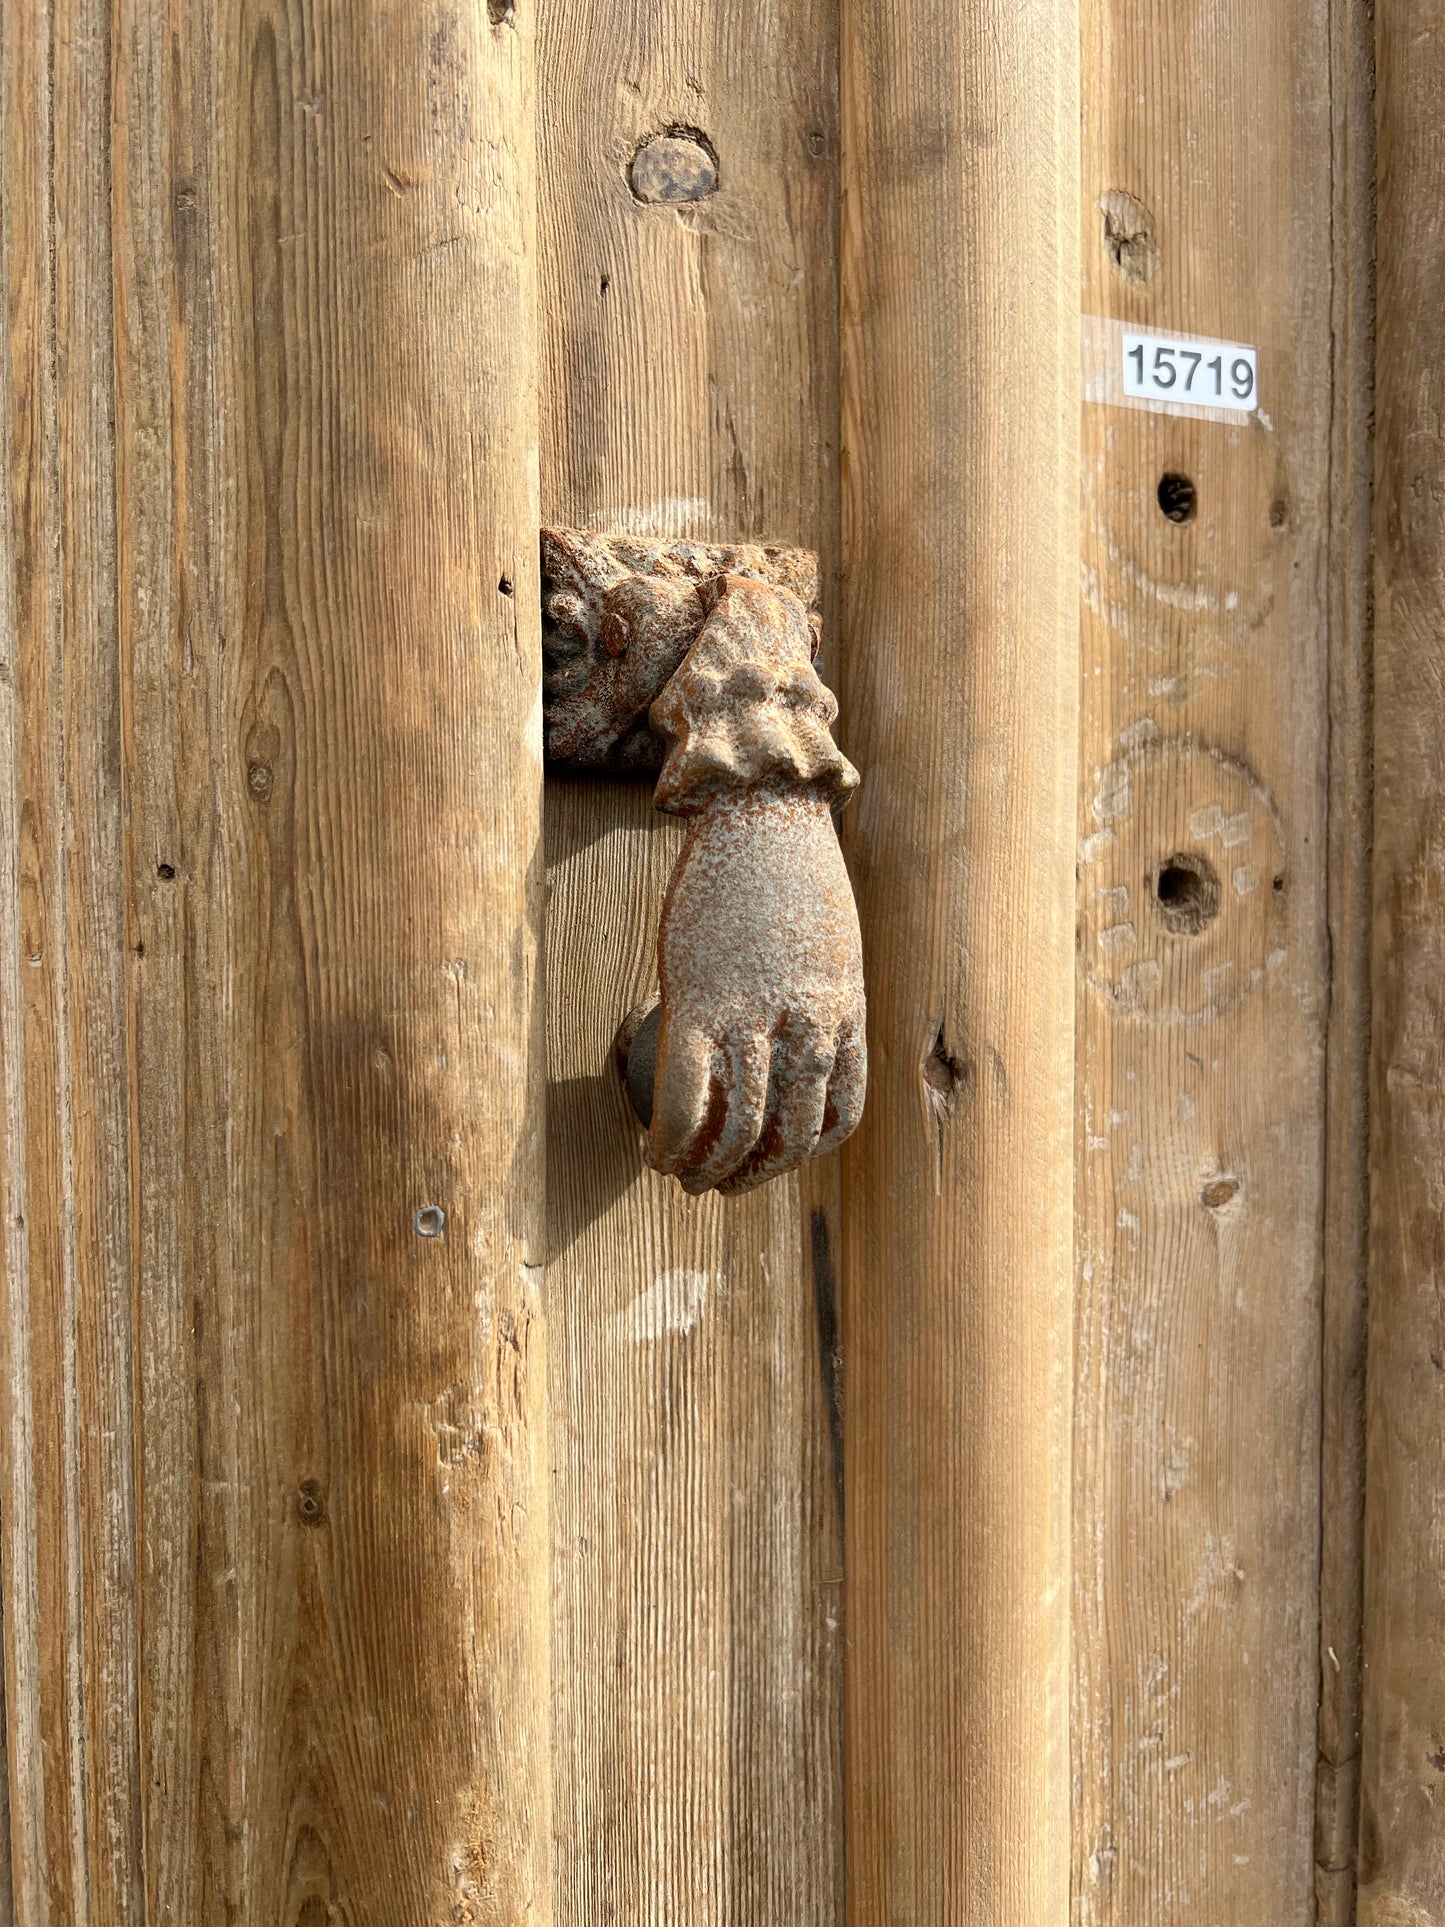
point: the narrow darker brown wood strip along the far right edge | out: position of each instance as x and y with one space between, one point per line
1404 1745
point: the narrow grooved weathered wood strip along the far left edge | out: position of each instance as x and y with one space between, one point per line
68 1498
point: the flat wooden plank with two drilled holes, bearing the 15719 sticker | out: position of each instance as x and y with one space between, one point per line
1207 198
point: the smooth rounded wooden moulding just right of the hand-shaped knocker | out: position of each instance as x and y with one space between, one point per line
960 708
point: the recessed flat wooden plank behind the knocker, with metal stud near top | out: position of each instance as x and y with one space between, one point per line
689 388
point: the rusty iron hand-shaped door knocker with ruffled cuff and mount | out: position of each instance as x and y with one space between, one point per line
698 662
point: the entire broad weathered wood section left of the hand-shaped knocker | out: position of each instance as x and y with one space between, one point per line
275 1483
